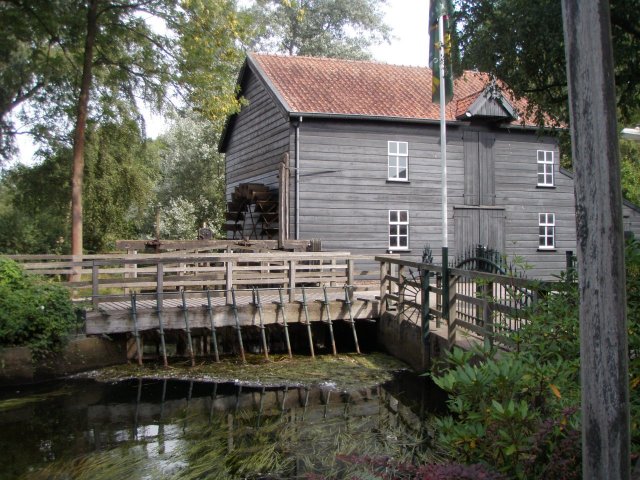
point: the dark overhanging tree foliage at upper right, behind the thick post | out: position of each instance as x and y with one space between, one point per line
522 43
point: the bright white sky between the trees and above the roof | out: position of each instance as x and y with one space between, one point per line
409 45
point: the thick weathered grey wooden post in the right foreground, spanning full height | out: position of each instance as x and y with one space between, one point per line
604 362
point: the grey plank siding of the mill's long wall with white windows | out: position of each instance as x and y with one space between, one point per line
345 196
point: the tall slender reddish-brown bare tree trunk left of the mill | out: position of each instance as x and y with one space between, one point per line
78 138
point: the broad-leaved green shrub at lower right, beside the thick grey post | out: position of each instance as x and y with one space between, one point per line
497 406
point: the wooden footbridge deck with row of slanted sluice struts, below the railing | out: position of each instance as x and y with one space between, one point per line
198 317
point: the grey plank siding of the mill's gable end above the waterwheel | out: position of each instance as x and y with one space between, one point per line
258 139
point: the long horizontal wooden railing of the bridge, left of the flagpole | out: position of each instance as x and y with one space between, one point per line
111 277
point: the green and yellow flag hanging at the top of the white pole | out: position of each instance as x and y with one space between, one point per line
440 9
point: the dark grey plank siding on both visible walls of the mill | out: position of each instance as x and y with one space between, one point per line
345 196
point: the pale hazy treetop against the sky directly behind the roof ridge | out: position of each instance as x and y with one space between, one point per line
329 28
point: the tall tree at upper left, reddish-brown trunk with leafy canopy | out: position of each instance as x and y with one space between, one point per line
95 59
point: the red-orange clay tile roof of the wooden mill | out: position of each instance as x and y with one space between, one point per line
348 87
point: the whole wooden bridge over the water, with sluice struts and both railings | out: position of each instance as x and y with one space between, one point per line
193 296
